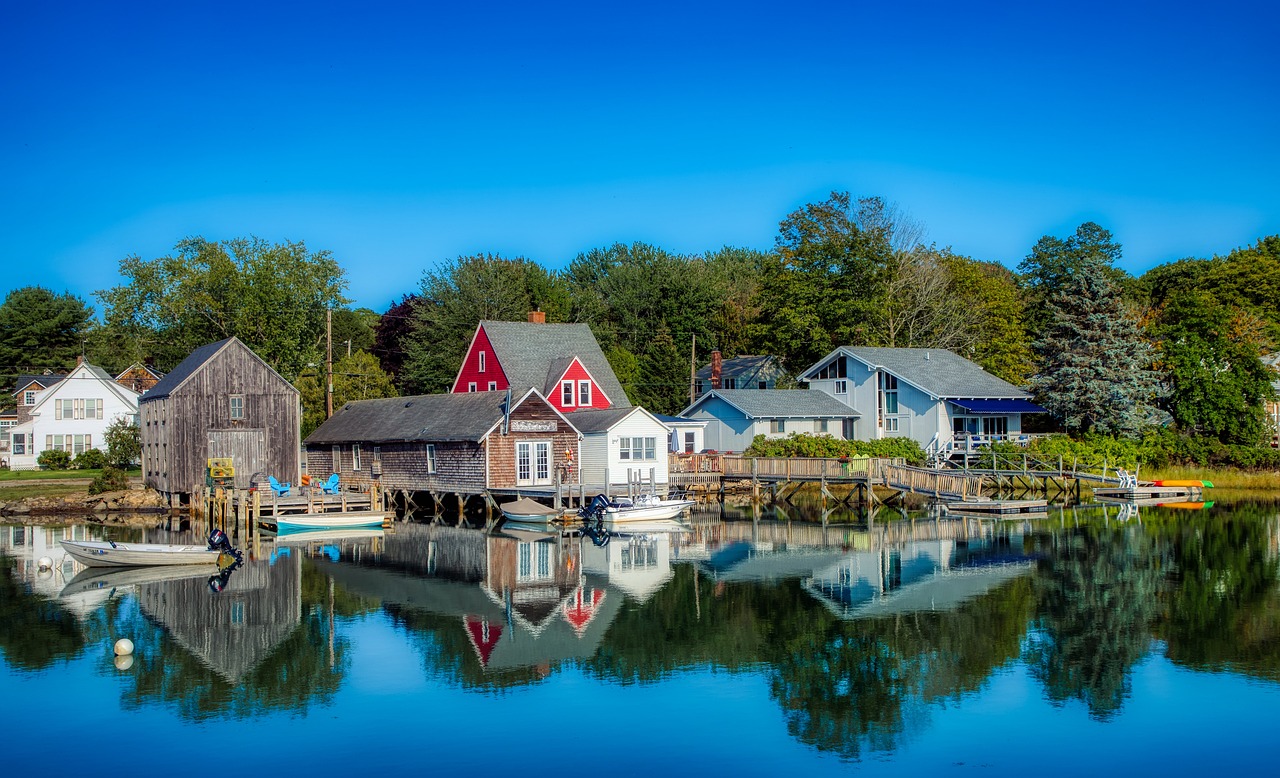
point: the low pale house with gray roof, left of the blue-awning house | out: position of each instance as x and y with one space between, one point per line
737 417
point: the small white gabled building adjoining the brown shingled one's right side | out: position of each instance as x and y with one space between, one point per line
623 446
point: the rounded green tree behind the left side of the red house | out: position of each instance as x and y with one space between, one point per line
460 295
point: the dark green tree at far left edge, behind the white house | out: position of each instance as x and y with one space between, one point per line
40 331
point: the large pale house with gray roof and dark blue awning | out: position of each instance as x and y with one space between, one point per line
930 395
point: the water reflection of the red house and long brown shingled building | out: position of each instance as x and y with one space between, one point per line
522 598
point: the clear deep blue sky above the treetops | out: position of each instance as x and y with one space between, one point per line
406 134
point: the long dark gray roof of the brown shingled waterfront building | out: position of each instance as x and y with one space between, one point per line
427 418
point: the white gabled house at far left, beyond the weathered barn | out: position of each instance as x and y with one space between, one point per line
74 414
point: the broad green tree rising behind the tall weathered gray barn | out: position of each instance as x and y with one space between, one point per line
273 298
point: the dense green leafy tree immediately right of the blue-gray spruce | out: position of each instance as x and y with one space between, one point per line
1218 383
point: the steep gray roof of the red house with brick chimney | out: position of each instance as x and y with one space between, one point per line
531 354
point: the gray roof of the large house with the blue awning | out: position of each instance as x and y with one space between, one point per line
936 372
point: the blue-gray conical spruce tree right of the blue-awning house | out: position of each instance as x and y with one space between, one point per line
1096 368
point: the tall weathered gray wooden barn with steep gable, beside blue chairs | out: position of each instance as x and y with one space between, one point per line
223 401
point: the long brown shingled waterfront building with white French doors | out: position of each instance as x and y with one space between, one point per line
470 445
